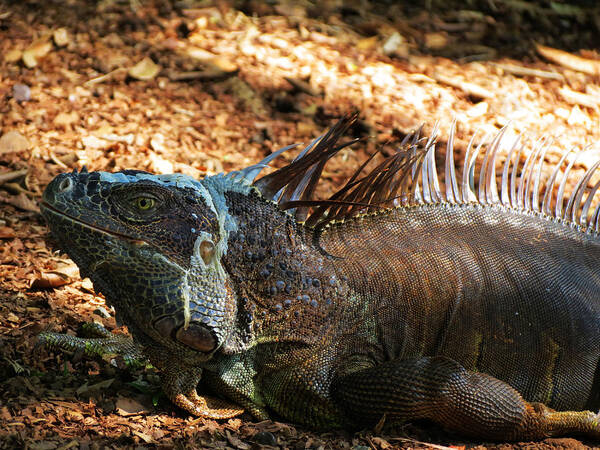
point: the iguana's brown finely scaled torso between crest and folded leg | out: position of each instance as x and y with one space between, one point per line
510 294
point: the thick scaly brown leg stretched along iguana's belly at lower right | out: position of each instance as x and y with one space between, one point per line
441 390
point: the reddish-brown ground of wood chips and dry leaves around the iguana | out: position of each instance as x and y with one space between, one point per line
202 87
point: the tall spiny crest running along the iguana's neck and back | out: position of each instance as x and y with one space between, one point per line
409 177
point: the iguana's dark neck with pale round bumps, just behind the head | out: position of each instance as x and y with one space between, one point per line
287 289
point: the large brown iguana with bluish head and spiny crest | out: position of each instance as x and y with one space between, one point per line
468 304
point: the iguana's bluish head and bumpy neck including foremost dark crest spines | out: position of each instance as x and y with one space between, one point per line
201 265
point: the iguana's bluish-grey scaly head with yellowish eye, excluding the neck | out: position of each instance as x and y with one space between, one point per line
153 245
